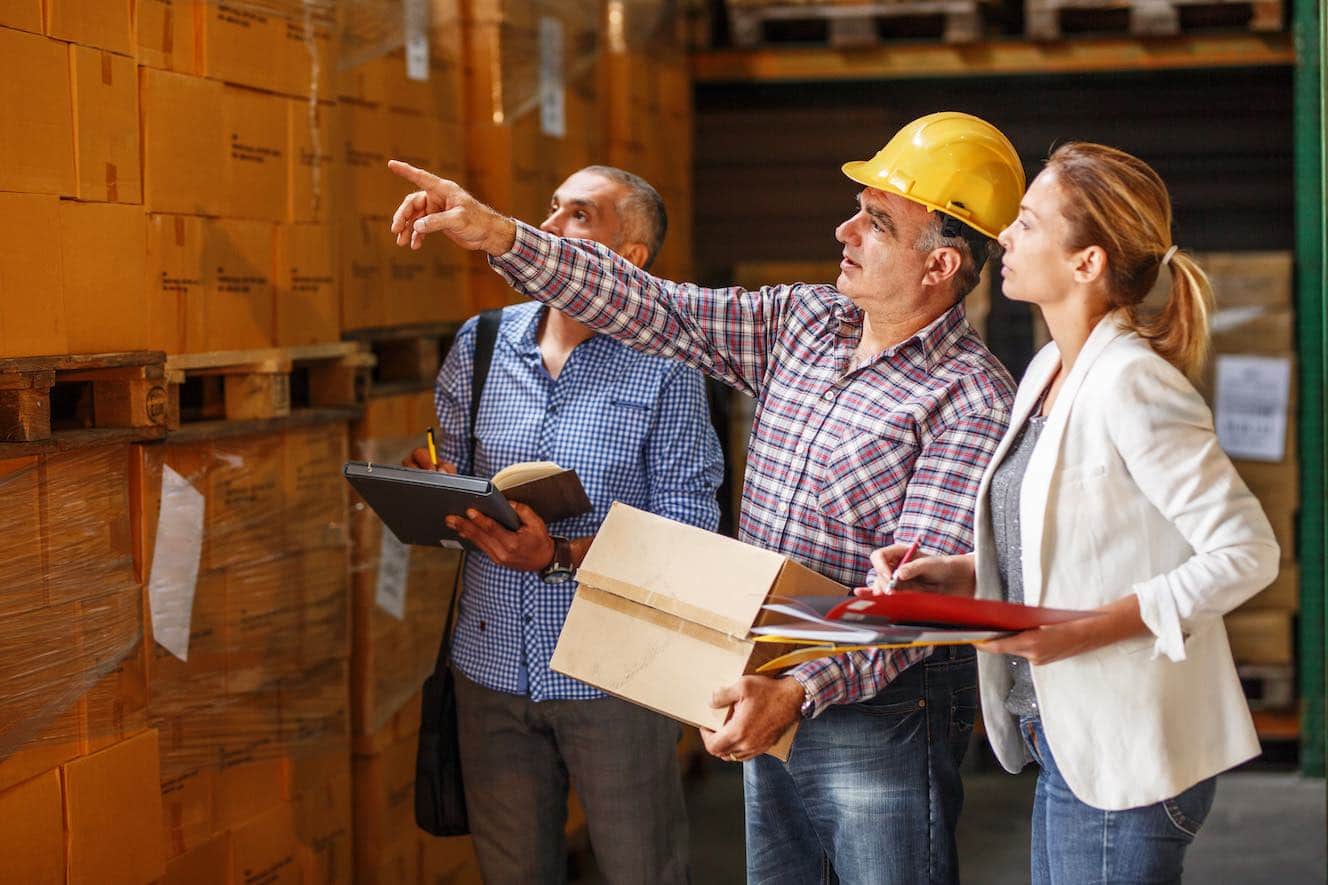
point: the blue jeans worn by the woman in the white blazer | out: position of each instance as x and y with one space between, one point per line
1076 844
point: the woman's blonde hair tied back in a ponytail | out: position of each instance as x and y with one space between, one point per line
1116 201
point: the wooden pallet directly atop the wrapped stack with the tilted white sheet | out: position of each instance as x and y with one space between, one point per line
264 386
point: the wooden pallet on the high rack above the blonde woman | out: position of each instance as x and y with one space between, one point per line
1051 19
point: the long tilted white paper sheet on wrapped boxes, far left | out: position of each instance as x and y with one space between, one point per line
180 548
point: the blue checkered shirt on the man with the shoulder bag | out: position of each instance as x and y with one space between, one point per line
635 429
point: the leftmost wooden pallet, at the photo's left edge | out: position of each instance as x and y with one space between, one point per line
51 403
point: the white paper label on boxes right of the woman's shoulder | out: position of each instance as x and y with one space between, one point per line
1252 406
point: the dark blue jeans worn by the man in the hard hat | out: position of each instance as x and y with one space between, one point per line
872 791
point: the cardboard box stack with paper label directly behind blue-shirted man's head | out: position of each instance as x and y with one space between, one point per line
533 104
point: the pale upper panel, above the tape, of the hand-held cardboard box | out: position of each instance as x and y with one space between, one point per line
698 576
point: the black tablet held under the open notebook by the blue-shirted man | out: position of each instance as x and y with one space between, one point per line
415 503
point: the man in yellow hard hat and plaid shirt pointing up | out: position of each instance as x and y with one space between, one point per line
878 410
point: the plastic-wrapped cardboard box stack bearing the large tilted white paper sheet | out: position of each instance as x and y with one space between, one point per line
245 548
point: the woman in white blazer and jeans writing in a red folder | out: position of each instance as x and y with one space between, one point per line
1111 494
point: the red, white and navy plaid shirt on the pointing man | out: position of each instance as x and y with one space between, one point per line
840 462
